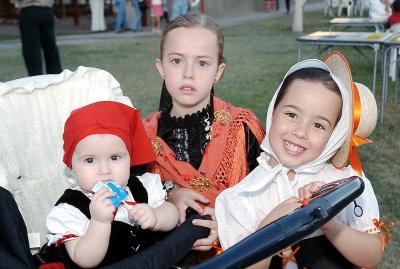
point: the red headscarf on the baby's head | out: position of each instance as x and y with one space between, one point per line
108 117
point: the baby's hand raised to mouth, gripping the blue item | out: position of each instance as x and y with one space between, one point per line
101 208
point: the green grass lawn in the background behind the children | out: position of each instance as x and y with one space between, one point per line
258 55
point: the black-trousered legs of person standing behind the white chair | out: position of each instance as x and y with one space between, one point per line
36 25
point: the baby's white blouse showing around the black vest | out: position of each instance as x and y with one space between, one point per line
64 219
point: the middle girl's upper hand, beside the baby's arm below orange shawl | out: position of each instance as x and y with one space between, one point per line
183 198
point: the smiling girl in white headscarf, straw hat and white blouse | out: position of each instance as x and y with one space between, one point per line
313 121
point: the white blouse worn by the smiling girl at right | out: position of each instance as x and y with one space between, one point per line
240 209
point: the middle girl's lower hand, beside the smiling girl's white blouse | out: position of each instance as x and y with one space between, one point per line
205 244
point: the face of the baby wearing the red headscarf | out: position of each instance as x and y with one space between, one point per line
100 157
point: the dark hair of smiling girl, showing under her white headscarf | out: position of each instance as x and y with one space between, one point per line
309 74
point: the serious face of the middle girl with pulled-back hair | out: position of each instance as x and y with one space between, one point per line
190 68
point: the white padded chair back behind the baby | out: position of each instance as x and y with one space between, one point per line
32 115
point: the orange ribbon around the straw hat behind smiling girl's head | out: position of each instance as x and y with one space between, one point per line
356 140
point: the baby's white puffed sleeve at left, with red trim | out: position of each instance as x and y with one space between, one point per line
64 221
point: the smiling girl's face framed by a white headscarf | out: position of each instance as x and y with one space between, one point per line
303 122
